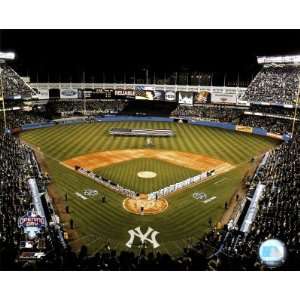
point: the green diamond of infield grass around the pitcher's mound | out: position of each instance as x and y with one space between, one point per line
125 174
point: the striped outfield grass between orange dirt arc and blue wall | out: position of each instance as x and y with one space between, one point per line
63 142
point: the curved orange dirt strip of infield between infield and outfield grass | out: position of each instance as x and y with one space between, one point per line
103 159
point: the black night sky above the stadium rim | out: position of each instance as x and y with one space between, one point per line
63 55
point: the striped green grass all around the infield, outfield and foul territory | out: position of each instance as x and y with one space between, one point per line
185 217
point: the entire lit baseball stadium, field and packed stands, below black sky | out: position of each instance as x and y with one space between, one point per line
150 175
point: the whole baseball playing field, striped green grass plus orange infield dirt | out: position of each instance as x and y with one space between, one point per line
127 161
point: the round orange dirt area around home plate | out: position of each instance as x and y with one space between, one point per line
142 206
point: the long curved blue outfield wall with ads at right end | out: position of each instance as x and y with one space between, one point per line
114 118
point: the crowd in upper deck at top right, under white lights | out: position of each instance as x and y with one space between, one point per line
275 84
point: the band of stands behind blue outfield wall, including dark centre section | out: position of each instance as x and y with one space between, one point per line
274 119
